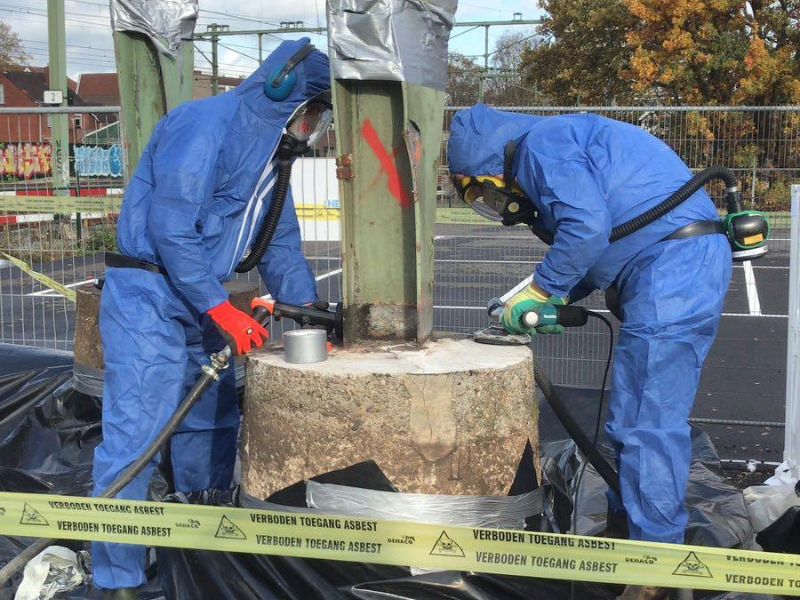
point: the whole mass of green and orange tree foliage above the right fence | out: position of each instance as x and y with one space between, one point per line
680 52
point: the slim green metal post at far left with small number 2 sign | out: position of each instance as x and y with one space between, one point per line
58 81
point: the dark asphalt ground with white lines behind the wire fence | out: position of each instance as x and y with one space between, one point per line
743 377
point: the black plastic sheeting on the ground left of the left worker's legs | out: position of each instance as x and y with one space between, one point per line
48 433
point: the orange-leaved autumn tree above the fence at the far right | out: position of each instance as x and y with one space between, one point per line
721 51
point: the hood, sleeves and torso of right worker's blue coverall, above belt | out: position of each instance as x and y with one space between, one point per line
584 174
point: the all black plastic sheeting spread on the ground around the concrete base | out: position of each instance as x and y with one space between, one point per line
48 433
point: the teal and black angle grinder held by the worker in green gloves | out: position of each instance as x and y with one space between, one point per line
549 314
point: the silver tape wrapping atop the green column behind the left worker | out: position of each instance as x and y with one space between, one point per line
171 20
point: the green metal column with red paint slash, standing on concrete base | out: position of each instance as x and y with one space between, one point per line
389 138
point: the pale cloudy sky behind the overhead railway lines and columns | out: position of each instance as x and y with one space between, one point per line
90 46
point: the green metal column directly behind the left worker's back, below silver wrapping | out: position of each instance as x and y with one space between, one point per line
150 84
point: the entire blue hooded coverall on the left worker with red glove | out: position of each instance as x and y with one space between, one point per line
194 205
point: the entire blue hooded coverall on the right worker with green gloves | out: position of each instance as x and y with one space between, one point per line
586 174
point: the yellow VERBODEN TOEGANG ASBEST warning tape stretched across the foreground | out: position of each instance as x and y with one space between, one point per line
449 547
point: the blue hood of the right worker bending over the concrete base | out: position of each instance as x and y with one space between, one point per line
478 138
